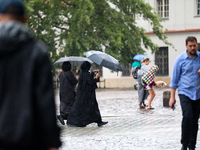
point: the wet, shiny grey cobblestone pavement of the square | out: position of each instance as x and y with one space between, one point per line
128 128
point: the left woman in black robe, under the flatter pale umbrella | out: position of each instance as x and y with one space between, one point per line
67 91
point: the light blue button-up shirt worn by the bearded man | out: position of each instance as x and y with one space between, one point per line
185 76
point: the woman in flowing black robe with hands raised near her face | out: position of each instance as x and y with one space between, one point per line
85 109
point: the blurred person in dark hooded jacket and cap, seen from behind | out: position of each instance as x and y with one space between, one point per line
27 106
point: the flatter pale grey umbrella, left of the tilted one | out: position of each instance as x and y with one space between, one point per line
74 60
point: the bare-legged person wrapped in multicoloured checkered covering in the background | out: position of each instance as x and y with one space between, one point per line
148 83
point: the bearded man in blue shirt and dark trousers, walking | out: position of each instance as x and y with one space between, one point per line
186 77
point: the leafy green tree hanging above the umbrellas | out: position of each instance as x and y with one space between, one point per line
72 27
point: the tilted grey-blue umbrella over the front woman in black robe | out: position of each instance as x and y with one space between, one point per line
104 60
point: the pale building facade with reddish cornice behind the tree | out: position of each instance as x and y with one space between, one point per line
181 18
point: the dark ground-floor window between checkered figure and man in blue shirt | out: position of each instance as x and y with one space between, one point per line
161 59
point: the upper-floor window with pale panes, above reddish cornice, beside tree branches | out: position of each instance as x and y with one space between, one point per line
163 8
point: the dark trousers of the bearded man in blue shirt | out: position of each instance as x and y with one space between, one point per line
190 113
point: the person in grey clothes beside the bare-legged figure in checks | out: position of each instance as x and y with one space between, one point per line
142 93
